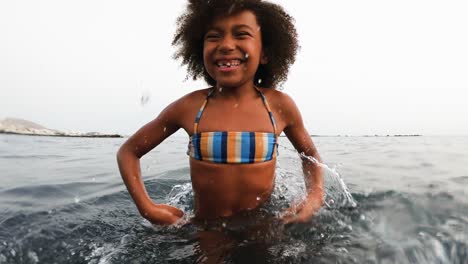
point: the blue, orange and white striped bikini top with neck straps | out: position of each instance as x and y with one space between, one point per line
233 147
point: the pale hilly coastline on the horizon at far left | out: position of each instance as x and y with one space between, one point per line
18 126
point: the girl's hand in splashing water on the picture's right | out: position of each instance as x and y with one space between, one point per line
303 211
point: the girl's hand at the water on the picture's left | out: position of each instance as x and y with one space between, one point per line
162 214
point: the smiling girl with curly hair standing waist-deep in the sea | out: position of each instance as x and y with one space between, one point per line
243 49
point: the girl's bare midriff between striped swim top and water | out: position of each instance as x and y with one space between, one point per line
224 189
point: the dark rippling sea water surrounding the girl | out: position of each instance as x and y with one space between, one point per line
389 200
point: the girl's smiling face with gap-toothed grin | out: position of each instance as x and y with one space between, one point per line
232 49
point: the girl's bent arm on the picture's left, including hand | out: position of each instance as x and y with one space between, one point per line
128 159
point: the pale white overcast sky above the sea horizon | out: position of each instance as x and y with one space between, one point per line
365 67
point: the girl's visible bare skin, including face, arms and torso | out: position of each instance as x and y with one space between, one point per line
225 189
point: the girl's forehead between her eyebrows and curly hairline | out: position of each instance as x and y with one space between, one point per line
244 17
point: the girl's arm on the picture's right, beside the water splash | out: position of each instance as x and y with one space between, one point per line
313 174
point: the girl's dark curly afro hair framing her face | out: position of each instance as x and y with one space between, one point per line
279 37
